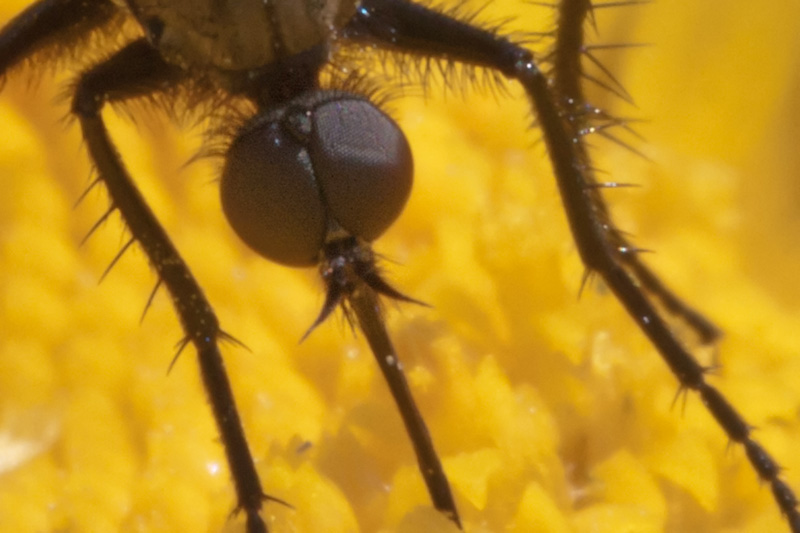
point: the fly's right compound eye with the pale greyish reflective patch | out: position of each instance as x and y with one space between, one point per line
363 165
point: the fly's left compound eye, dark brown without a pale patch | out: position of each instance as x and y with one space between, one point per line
270 198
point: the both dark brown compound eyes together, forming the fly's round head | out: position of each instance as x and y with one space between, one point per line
326 158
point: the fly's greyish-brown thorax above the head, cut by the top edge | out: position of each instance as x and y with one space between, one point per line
234 35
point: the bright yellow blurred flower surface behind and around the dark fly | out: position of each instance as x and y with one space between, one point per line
550 413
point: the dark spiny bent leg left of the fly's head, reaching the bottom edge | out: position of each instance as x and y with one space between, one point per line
138 70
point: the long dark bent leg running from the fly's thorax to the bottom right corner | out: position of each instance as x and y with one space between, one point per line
410 28
